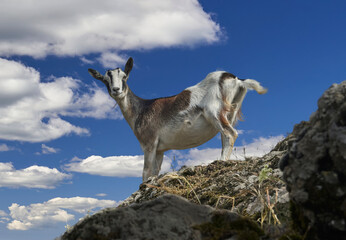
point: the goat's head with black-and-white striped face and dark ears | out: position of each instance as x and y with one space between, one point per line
115 80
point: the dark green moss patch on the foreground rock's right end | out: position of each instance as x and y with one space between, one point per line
223 225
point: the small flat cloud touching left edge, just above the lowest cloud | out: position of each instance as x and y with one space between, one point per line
31 177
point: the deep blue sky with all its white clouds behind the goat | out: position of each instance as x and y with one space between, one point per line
65 149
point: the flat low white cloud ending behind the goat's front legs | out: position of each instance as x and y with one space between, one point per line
113 166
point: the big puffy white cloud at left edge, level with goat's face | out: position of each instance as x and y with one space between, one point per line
32 110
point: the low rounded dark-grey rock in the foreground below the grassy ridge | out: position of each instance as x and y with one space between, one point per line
167 217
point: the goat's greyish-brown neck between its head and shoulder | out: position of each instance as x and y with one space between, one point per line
130 106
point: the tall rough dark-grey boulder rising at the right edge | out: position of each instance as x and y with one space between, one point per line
315 169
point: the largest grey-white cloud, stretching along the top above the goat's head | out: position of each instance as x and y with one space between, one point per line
69 28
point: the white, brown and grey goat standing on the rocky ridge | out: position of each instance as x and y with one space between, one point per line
185 120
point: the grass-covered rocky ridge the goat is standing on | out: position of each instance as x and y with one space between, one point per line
241 186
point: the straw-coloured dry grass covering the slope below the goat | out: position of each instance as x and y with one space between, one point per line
218 184
